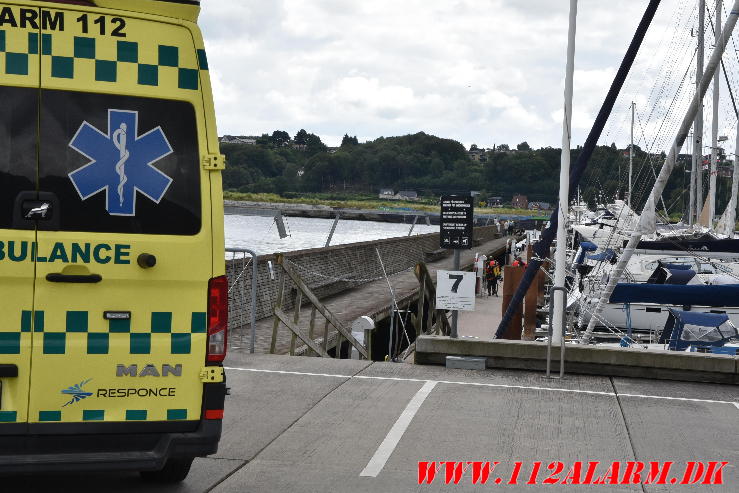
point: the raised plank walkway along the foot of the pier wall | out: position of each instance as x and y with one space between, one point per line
371 299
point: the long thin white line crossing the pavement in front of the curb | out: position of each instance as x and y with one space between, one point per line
493 385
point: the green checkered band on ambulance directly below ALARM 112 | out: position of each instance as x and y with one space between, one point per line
127 56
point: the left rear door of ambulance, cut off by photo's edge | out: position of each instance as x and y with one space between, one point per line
19 97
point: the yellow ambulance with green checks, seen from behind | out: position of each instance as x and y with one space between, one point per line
113 300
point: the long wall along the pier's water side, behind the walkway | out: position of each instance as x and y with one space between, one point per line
328 271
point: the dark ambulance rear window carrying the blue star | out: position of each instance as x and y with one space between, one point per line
120 164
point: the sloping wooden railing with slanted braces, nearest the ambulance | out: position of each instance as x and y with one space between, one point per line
334 333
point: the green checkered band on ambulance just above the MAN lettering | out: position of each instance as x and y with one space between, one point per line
160 325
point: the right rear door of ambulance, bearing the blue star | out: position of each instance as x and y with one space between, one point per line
122 272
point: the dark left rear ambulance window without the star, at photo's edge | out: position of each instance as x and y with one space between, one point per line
17 147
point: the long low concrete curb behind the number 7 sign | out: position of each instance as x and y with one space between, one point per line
589 360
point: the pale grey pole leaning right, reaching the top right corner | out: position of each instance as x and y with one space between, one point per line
647 218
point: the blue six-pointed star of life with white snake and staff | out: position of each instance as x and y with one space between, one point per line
121 162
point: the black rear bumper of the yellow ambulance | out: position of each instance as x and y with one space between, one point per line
21 454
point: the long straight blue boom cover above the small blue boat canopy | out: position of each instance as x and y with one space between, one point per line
673 294
